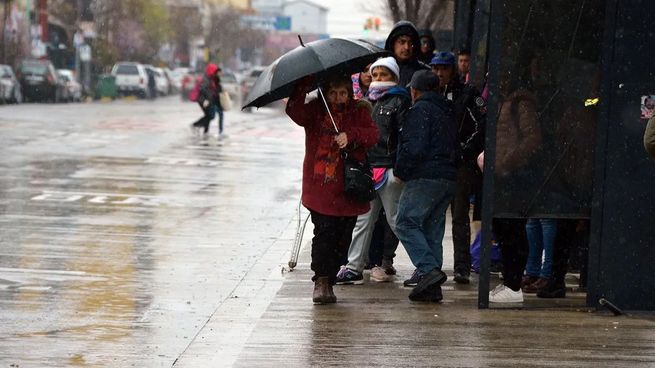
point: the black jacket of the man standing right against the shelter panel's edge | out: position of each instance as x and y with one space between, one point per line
469 118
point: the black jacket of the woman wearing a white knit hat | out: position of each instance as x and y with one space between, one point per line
388 114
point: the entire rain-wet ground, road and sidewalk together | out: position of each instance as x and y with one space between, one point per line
129 241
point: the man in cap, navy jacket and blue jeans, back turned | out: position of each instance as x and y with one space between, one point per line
426 163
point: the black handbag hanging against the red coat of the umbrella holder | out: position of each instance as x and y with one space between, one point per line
358 179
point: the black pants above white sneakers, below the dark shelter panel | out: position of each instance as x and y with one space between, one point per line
510 233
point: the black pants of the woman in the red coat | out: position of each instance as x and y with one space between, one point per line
332 236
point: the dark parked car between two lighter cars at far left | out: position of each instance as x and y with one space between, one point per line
39 81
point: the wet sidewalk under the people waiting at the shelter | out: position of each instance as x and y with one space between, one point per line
375 325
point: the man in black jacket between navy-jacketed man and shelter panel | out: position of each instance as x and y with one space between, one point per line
470 135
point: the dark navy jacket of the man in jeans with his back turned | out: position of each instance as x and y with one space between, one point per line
428 140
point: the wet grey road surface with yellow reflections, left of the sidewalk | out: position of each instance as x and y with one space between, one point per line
123 233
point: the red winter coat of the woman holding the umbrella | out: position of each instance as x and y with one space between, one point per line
323 171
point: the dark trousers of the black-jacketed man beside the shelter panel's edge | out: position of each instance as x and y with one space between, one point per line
459 209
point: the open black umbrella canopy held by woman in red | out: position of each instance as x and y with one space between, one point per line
322 57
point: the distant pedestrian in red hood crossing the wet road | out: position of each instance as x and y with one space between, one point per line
208 99
